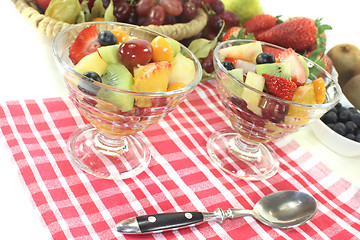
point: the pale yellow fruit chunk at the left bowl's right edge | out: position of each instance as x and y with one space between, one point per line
182 70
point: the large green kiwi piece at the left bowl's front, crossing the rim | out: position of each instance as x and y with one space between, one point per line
118 76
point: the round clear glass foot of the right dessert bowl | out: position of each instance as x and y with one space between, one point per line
225 153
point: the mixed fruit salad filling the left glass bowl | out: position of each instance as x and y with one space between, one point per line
122 83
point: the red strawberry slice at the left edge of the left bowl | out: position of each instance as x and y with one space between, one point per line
85 43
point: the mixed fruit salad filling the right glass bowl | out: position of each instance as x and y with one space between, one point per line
269 91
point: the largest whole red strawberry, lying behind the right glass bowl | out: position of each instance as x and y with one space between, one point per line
298 34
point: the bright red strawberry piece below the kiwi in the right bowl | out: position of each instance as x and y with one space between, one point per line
280 87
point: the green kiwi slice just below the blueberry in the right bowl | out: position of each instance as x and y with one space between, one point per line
282 69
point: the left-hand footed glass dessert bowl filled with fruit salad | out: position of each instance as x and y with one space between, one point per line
122 102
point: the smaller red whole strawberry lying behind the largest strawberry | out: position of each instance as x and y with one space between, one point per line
260 23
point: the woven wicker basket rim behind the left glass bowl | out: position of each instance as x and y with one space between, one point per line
50 27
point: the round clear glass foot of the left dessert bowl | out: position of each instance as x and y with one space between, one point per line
124 158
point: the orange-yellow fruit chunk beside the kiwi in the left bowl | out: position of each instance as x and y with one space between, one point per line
153 77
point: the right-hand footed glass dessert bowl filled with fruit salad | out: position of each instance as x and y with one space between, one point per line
258 110
